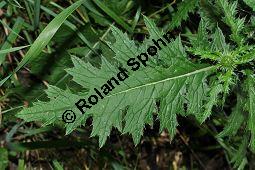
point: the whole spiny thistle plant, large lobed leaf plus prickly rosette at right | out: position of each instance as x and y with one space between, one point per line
174 82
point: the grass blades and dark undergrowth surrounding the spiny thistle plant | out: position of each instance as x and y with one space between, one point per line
84 34
